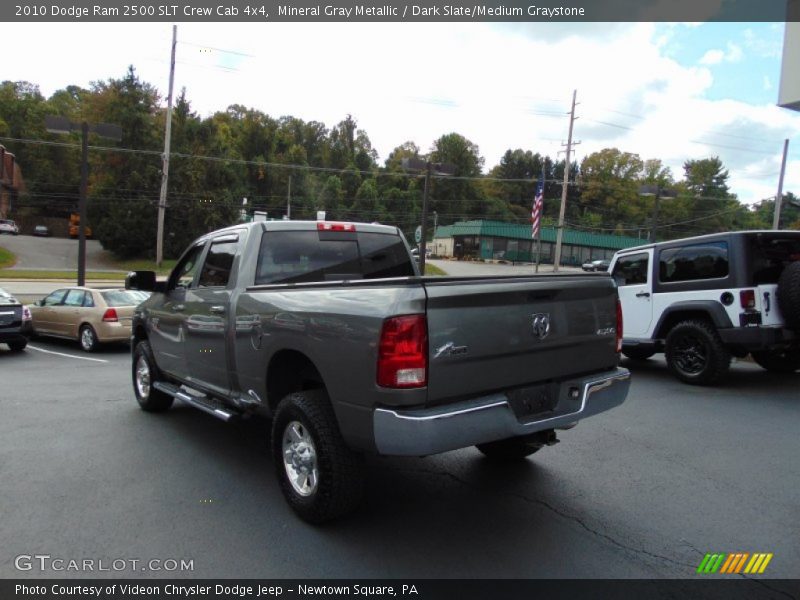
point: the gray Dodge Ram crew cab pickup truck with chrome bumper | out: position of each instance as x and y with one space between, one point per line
329 330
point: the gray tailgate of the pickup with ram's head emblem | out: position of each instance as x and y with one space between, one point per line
487 335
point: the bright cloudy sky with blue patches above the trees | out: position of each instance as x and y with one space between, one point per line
670 91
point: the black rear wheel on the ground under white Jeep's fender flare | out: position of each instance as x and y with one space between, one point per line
695 353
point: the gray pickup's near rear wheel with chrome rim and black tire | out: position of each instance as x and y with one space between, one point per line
338 486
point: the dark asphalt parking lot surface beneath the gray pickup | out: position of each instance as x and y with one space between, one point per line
642 491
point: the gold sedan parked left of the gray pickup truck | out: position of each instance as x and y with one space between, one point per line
87 315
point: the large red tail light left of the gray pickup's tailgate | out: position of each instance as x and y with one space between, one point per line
403 352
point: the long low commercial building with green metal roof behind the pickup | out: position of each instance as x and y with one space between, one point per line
495 240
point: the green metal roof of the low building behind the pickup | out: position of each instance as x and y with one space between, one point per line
523 232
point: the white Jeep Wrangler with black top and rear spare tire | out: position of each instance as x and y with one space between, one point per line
703 300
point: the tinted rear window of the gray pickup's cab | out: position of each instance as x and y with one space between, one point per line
307 256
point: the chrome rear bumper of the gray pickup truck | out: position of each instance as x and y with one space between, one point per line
420 432
